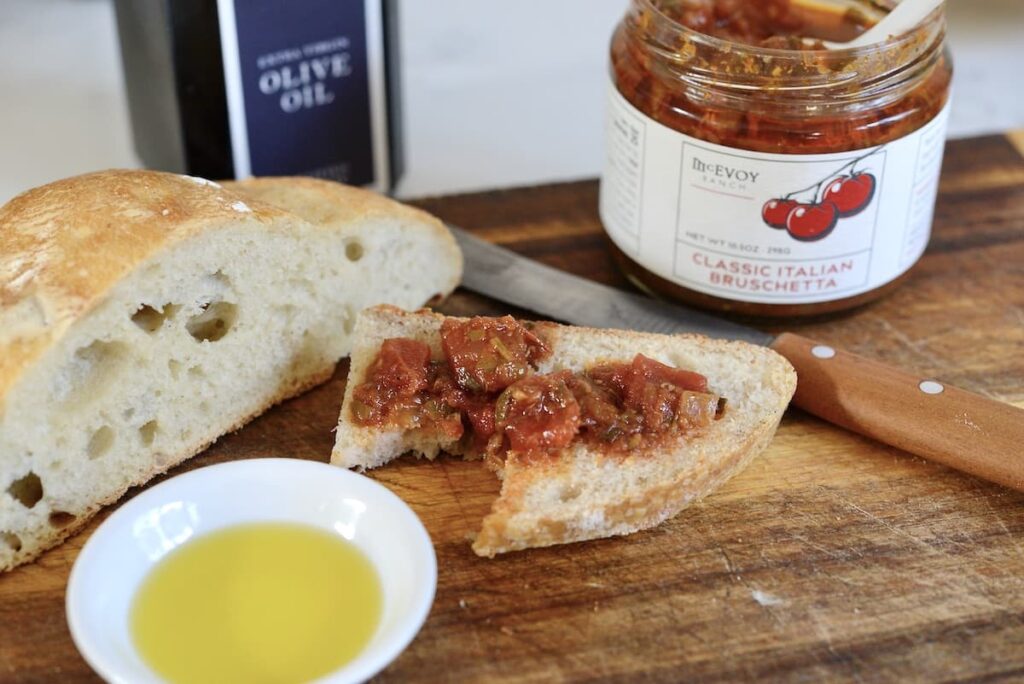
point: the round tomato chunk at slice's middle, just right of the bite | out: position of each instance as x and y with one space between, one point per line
538 413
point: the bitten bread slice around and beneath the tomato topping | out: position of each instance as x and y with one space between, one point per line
587 493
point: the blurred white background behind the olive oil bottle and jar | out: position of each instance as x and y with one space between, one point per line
495 94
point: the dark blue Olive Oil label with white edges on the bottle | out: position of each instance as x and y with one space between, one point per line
305 85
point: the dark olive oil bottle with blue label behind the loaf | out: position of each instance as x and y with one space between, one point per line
234 89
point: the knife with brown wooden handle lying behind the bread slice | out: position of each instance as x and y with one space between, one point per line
952 426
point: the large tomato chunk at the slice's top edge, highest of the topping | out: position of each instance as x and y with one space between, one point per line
489 355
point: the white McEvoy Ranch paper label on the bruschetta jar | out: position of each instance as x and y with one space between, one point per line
762 228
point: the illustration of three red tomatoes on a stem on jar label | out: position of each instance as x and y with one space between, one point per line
846 194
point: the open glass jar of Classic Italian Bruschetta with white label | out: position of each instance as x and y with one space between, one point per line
772 182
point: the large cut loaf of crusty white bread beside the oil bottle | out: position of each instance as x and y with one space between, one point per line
145 315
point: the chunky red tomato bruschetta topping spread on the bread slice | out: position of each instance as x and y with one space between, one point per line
487 394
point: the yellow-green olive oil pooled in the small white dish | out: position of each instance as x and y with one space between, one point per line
264 603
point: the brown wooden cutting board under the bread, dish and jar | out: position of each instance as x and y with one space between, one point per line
831 558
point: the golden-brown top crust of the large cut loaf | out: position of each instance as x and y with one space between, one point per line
64 246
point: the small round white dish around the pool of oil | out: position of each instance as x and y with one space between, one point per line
138 536
